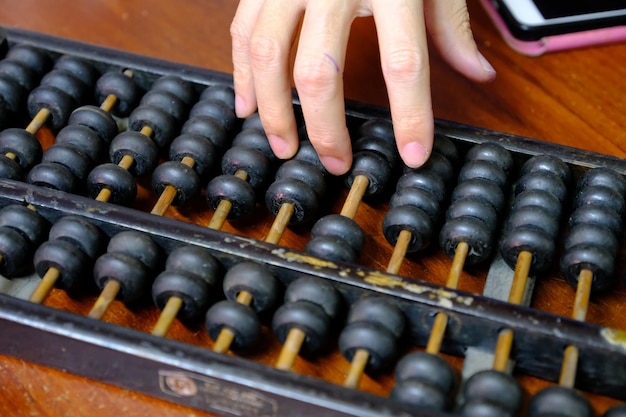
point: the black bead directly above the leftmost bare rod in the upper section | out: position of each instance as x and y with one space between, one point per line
57 102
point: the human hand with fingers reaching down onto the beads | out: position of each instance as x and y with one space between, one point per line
263 32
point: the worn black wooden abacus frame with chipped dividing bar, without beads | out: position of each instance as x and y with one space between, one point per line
226 385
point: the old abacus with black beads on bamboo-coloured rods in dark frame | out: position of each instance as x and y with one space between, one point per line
77 179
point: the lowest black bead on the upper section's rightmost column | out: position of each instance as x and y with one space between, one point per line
589 257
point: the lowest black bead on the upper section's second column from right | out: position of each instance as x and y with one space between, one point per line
529 239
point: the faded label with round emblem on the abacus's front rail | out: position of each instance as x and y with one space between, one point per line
214 394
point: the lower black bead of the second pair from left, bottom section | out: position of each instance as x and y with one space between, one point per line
72 263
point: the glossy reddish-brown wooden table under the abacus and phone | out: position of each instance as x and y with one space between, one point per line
575 98
